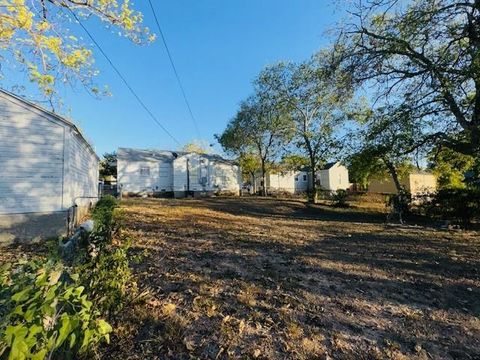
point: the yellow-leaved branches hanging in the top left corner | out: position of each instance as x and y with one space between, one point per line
37 36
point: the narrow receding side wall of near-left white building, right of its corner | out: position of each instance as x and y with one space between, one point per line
81 172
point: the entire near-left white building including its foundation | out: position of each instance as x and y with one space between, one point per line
48 171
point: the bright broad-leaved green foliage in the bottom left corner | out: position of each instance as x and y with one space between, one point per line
45 312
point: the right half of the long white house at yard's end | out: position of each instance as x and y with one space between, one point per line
205 174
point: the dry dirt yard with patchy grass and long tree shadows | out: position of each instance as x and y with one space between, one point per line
275 279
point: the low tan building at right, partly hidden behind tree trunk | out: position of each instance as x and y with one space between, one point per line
416 183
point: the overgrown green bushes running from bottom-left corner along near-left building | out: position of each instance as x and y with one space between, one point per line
46 307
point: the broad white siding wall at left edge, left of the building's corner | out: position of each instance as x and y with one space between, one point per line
31 159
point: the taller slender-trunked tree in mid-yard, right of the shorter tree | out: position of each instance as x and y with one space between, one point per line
314 93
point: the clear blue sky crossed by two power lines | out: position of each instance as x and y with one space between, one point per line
218 46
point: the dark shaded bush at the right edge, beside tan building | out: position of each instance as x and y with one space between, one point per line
462 205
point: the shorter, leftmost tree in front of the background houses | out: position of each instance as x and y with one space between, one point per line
260 127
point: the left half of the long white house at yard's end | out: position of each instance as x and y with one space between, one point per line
134 177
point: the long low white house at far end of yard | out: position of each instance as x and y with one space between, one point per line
163 173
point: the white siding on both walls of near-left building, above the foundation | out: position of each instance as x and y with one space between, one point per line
35 158
